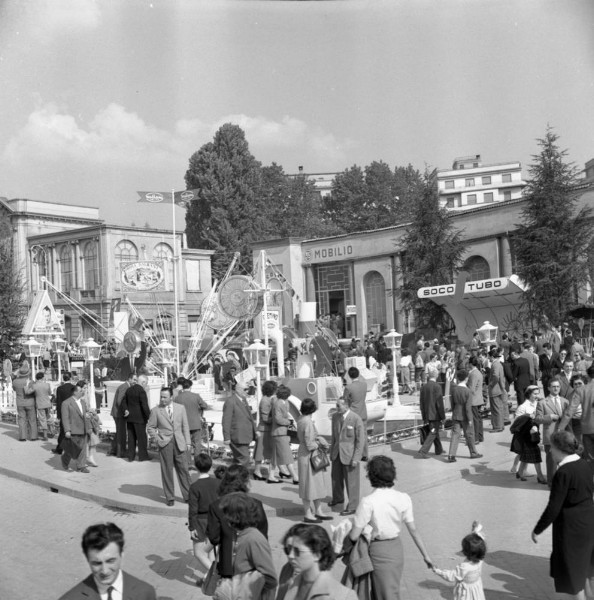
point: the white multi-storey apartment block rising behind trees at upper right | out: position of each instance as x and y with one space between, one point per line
469 183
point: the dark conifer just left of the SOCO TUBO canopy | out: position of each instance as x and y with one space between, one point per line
431 254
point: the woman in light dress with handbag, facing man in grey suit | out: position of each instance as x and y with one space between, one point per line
313 483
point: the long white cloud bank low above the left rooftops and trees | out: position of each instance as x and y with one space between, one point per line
117 137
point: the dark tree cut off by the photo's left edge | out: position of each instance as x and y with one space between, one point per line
12 307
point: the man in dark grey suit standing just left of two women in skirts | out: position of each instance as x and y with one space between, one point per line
239 427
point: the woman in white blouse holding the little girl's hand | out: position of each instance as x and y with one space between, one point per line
386 510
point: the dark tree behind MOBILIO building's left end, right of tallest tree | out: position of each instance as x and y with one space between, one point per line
292 206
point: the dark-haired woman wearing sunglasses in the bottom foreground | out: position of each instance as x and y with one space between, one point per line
310 554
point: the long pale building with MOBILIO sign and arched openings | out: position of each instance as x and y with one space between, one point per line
357 276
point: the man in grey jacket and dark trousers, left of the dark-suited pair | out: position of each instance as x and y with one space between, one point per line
76 428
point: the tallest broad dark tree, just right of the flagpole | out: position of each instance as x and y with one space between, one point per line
227 215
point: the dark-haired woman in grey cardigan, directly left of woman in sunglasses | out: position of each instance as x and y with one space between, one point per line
253 574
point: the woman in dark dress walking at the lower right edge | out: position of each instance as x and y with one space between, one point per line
571 511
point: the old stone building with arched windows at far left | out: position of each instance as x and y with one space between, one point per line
82 257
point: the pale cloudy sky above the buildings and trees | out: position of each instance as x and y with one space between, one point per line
101 98
